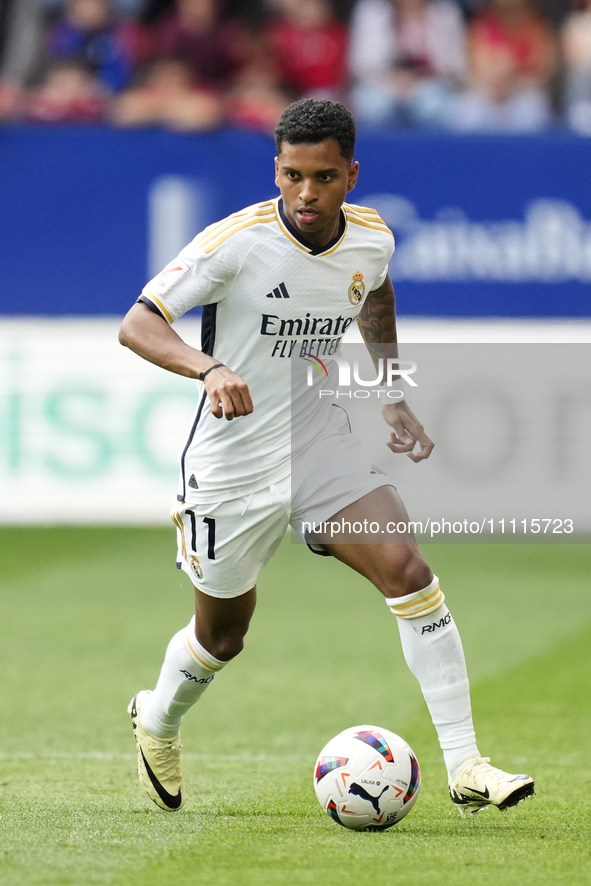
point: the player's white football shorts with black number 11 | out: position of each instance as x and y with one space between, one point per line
223 547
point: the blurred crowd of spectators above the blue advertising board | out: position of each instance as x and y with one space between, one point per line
193 65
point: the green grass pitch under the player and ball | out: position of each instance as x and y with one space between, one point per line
85 616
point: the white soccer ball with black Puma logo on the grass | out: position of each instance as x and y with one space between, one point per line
367 778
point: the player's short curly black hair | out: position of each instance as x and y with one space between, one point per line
310 121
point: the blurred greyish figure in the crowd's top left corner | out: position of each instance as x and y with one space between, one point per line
21 41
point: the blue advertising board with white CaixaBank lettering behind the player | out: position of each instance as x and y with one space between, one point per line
485 226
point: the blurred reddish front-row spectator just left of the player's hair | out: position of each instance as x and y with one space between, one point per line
256 101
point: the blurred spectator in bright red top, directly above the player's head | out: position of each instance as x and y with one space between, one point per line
309 45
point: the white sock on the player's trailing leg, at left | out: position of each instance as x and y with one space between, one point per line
187 671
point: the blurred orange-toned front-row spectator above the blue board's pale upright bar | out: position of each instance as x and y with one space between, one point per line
169 96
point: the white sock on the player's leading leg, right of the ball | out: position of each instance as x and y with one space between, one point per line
433 651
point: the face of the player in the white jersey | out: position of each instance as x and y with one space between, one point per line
314 181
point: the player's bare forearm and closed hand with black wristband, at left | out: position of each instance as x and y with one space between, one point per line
149 335
